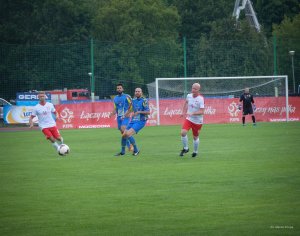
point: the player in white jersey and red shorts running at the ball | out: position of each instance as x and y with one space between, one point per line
44 111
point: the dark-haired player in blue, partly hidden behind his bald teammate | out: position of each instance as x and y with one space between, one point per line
122 103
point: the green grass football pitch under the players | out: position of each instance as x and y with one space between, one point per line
245 181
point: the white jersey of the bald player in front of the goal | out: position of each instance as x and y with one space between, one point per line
194 104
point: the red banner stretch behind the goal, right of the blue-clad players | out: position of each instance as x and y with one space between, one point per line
226 110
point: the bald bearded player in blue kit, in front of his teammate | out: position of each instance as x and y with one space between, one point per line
140 109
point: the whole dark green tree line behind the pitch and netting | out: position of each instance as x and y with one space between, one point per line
47 43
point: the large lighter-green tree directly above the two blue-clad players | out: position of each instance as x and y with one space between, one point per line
135 27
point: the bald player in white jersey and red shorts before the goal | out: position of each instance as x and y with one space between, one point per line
193 110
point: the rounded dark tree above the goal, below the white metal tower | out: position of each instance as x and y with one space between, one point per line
230 52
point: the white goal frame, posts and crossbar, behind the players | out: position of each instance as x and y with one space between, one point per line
285 77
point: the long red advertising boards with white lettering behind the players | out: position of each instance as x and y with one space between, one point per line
96 115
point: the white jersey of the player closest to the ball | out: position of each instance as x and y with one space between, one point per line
44 114
